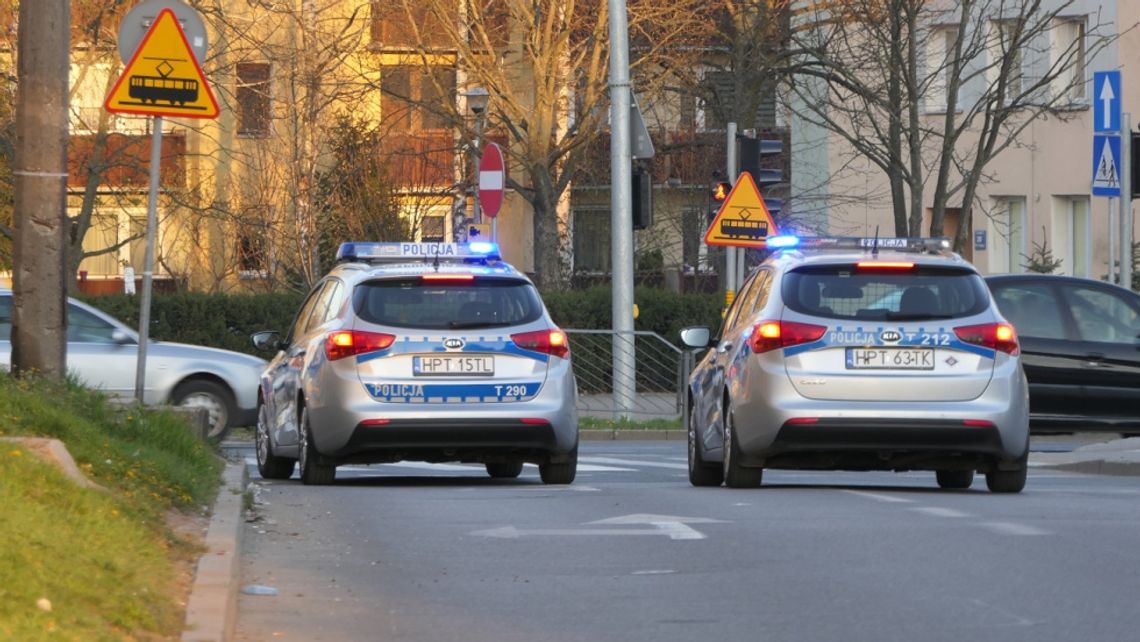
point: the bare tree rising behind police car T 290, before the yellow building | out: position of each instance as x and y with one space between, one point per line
545 66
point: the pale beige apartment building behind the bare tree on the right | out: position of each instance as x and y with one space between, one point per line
1036 192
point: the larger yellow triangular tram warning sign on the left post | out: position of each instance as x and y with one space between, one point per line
164 78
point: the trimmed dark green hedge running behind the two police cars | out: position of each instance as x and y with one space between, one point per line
227 321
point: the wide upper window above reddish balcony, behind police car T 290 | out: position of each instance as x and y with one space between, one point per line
417 100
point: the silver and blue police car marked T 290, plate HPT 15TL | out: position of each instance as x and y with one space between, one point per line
419 352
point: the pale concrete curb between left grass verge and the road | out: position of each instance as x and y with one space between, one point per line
213 607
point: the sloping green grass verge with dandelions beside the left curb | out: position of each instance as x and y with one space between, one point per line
84 564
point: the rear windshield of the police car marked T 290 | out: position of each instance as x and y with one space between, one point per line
447 305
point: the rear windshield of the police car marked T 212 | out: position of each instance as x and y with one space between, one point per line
922 292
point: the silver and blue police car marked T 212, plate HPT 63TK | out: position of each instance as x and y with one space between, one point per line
860 354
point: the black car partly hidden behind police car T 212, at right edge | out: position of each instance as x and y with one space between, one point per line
1080 348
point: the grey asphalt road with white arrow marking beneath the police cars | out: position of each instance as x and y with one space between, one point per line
632 552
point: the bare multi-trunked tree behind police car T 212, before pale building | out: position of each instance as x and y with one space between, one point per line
931 93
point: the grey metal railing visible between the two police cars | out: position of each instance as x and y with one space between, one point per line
661 368
